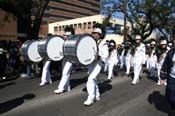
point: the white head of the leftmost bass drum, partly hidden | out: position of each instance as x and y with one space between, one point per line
33 52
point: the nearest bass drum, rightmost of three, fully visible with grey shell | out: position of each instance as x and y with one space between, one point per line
81 49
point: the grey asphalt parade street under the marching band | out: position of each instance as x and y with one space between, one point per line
21 97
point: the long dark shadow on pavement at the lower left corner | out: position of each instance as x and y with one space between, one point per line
11 104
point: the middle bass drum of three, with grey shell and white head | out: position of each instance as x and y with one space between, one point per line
51 48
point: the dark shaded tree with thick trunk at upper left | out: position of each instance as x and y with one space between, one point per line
23 11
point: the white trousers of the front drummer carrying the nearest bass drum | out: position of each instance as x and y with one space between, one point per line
92 84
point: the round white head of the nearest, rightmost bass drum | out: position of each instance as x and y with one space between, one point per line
87 50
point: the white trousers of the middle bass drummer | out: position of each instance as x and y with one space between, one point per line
64 82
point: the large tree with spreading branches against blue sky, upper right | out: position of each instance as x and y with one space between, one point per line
144 15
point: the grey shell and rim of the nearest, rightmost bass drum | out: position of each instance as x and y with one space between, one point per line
70 48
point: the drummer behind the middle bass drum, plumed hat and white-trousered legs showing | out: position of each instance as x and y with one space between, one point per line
64 84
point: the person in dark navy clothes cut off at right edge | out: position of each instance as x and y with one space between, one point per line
168 73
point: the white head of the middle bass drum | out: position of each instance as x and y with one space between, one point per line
55 48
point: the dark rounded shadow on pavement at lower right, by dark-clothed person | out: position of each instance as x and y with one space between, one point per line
160 102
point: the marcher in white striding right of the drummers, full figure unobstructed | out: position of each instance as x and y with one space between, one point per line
138 57
